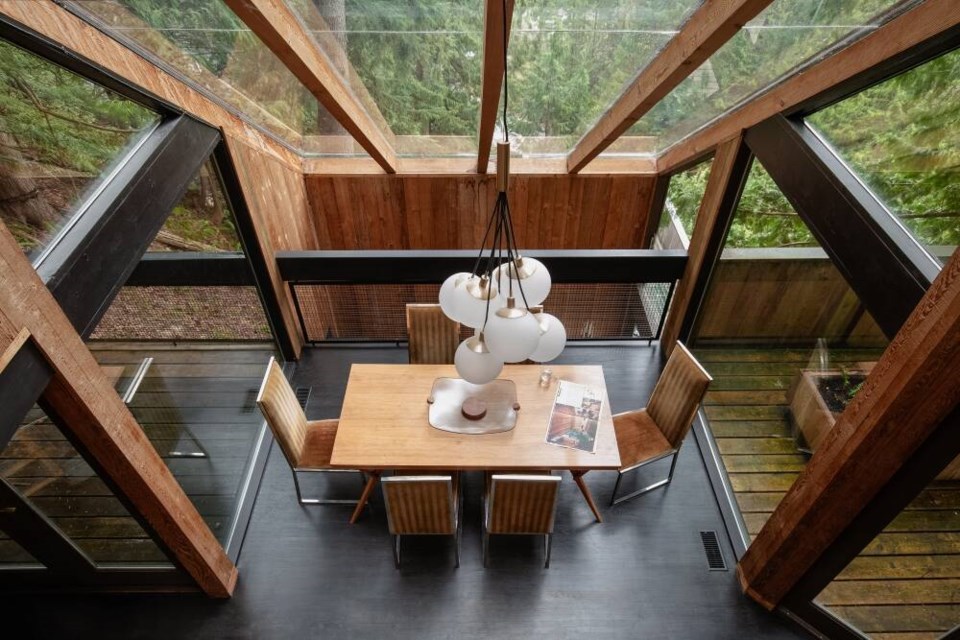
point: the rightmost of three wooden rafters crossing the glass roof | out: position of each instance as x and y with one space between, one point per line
713 24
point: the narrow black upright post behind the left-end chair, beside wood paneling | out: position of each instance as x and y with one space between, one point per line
269 296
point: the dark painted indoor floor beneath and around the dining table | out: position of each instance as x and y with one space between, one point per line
306 572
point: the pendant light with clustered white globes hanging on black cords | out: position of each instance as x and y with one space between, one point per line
502 301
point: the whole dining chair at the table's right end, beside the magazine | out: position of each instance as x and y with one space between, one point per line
657 431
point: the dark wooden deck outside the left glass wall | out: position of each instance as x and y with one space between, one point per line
195 404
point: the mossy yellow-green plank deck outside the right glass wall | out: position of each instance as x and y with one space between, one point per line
906 583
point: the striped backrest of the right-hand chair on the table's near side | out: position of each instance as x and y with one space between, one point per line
521 503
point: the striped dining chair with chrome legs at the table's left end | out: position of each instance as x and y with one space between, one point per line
306 444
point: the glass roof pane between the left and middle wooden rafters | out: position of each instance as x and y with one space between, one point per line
414 65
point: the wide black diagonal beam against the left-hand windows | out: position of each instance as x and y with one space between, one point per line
88 266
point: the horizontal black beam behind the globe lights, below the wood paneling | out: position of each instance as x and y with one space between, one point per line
433 267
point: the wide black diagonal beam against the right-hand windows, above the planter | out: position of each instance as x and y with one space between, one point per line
886 267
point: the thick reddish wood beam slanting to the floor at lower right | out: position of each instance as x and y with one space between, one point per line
904 400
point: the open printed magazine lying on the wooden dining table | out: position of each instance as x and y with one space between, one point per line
575 417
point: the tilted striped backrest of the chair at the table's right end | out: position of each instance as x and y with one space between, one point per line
678 394
